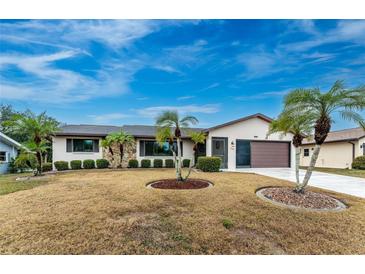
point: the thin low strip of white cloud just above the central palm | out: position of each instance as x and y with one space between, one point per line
154 111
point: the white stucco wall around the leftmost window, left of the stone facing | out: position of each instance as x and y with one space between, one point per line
59 150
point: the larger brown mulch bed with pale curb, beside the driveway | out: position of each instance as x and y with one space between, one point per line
310 200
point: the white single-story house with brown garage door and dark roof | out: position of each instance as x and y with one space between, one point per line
240 143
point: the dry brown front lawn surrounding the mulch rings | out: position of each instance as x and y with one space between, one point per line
93 212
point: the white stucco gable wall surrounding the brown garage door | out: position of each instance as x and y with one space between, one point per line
252 129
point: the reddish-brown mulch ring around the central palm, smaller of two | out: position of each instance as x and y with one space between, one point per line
174 184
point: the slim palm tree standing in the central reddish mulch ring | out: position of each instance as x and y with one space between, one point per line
167 121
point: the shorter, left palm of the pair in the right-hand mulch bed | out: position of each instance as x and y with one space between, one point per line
300 125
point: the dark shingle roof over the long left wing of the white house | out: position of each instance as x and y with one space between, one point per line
101 131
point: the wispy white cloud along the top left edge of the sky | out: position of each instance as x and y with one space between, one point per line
113 33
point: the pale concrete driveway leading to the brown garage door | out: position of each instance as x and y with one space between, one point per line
339 183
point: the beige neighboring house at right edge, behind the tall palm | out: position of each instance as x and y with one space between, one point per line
338 151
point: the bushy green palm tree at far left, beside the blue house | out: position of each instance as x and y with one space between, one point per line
39 129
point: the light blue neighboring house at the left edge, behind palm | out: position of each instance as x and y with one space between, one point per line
9 149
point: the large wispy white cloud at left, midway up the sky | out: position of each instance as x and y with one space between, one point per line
49 84
